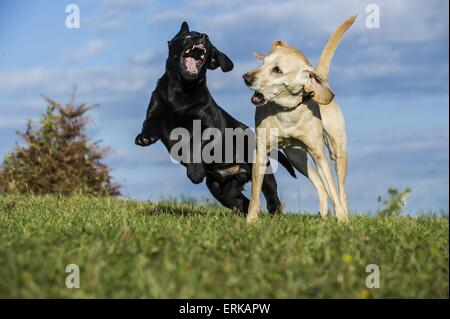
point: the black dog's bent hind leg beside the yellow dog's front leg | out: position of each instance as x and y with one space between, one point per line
229 195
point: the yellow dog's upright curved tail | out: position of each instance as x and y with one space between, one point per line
323 67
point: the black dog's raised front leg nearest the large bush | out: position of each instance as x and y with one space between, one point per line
150 132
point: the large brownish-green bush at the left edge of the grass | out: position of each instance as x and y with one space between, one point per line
57 157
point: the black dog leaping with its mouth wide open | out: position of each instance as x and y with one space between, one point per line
182 96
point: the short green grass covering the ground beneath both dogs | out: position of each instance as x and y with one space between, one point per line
167 250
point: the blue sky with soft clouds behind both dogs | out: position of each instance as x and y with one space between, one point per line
391 83
